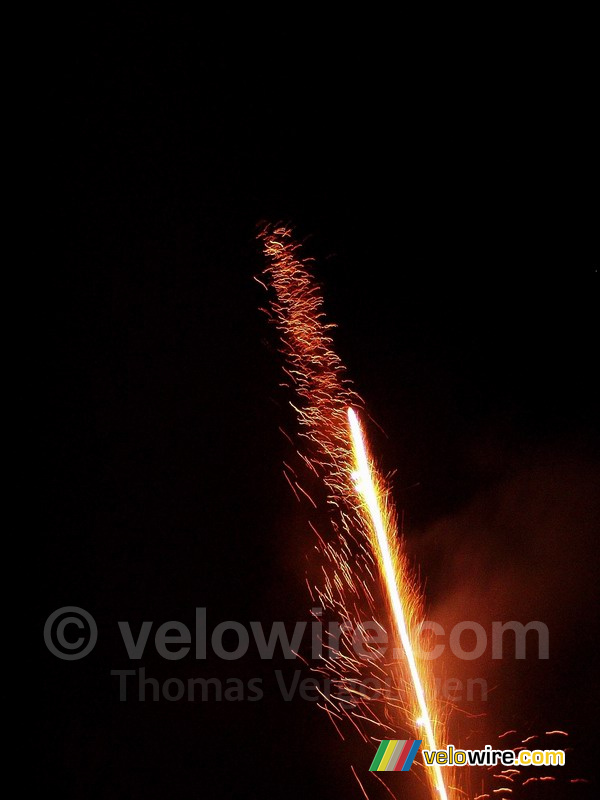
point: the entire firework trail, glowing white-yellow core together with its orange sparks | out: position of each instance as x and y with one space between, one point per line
365 573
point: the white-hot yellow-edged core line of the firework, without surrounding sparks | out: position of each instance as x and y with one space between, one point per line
366 486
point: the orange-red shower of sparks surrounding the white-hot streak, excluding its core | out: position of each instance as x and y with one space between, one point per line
346 579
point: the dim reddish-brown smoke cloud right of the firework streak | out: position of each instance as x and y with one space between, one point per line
525 549
